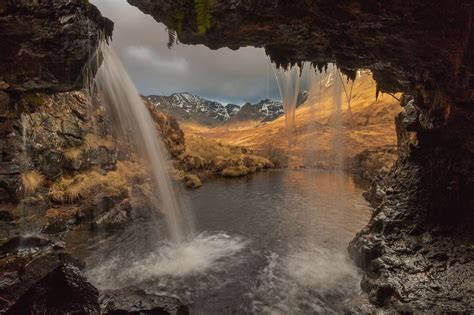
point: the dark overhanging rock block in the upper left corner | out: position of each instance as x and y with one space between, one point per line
45 44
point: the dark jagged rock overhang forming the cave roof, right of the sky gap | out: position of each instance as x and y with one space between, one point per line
408 46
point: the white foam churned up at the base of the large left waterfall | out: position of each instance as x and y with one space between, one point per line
204 253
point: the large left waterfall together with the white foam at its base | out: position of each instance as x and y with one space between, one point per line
184 253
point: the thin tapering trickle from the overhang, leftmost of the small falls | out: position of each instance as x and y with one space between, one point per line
288 81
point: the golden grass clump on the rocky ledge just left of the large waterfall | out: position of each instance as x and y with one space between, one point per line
84 185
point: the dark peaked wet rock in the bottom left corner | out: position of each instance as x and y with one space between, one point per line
63 291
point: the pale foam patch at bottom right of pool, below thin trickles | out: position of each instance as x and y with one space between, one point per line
305 281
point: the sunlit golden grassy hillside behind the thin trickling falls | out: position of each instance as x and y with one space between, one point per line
371 125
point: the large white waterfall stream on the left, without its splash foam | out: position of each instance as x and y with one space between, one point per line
131 117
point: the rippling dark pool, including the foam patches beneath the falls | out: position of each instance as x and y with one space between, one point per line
274 243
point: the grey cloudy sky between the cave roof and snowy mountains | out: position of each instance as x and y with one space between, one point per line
224 75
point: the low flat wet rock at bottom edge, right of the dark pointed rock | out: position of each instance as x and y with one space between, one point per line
136 301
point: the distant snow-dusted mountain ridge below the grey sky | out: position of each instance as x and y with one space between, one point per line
187 106
